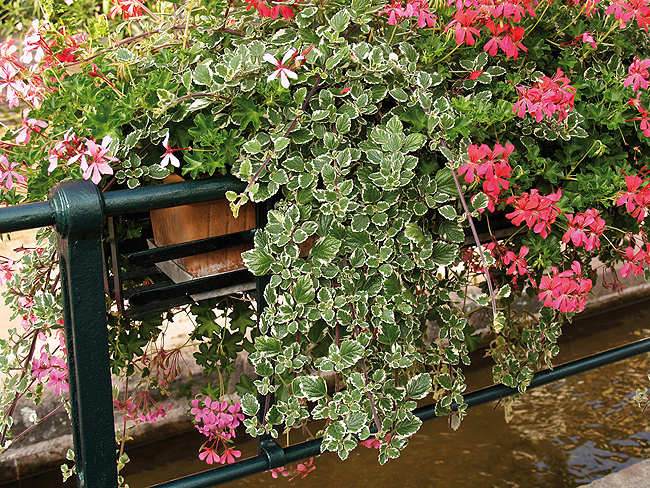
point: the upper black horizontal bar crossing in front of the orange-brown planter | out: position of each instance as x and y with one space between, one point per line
193 248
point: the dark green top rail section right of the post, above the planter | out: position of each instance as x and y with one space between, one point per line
170 195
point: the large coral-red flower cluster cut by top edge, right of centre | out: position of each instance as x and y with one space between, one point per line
498 17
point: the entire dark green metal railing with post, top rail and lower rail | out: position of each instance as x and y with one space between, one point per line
78 211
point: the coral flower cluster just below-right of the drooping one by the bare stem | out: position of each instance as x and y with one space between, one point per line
537 210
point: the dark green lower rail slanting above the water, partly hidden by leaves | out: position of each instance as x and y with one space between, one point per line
311 448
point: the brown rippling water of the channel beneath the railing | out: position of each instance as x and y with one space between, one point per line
563 435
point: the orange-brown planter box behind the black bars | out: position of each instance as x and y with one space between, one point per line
186 223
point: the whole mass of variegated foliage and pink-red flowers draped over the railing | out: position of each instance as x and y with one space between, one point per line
382 134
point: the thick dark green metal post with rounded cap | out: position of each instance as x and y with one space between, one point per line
79 215
